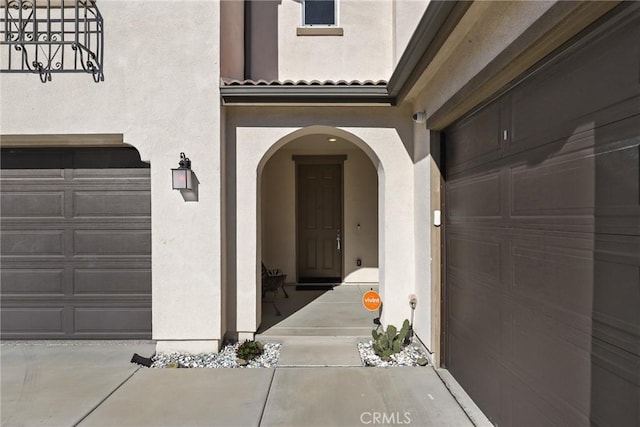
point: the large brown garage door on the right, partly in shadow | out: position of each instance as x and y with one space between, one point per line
542 240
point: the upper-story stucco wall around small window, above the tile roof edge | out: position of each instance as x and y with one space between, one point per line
363 52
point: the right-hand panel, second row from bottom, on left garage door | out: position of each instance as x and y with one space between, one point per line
112 281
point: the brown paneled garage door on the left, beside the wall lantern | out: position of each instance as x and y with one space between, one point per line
76 244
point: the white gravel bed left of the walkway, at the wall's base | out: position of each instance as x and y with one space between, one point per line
226 358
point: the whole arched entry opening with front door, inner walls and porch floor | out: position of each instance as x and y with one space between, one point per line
319 225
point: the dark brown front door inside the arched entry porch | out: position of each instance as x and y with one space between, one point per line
319 222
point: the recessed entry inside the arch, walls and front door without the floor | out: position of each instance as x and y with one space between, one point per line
346 203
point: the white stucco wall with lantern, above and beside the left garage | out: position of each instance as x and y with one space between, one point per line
161 93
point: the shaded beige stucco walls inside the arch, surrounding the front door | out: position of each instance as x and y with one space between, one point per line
360 207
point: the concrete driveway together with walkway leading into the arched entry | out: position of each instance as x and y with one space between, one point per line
319 380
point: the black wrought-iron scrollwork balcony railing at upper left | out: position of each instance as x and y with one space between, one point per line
52 36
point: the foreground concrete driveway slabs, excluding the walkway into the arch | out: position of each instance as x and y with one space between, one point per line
94 384
